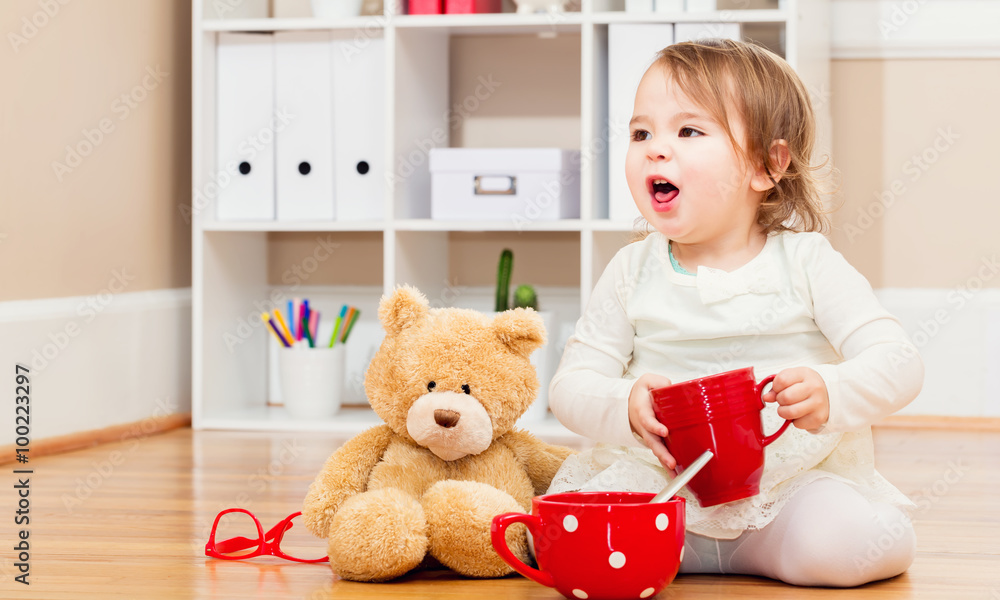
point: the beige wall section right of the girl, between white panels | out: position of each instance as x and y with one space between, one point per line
921 134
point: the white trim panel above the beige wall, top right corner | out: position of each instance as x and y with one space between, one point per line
923 29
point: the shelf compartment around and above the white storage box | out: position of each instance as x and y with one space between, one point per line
477 97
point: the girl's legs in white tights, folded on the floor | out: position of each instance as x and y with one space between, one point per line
826 535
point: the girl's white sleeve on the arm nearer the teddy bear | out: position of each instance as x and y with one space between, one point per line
588 394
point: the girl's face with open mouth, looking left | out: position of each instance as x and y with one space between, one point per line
683 172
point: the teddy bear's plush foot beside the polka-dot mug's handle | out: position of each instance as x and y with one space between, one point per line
459 515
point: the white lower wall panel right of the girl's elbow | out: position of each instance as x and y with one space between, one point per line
957 332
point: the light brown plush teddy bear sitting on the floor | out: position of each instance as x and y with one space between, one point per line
422 489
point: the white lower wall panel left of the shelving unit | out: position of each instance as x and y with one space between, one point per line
97 361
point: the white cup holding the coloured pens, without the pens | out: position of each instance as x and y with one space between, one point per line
311 380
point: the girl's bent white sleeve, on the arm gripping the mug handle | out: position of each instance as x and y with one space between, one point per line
882 371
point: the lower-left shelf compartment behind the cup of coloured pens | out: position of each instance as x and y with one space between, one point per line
247 273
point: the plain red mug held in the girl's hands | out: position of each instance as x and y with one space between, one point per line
720 413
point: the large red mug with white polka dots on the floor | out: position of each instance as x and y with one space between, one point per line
599 545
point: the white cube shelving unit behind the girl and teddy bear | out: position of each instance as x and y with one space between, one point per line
231 280
